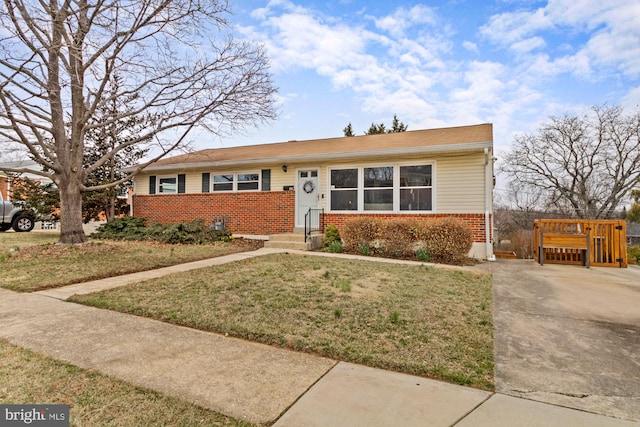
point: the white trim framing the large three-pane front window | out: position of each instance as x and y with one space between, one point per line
396 187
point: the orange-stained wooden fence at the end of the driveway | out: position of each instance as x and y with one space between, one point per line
600 243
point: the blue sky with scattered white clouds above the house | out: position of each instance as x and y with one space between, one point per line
513 63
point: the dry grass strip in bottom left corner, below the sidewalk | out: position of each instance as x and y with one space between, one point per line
94 399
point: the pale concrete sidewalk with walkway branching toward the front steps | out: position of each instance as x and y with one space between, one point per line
251 381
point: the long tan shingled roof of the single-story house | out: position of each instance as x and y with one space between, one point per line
453 139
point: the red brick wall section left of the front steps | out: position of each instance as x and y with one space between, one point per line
260 212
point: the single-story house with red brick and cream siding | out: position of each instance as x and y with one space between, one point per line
267 189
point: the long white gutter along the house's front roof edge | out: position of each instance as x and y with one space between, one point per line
315 157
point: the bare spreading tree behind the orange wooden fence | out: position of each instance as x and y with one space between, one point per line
587 163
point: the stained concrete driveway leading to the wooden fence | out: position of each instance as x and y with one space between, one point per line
569 335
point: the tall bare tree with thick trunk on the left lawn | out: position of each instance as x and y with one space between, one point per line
177 62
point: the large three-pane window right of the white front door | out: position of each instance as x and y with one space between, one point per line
386 188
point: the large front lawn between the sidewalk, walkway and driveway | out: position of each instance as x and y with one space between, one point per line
415 319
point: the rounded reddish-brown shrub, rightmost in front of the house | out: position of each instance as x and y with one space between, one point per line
449 239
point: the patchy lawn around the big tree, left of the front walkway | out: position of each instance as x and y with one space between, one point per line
36 267
